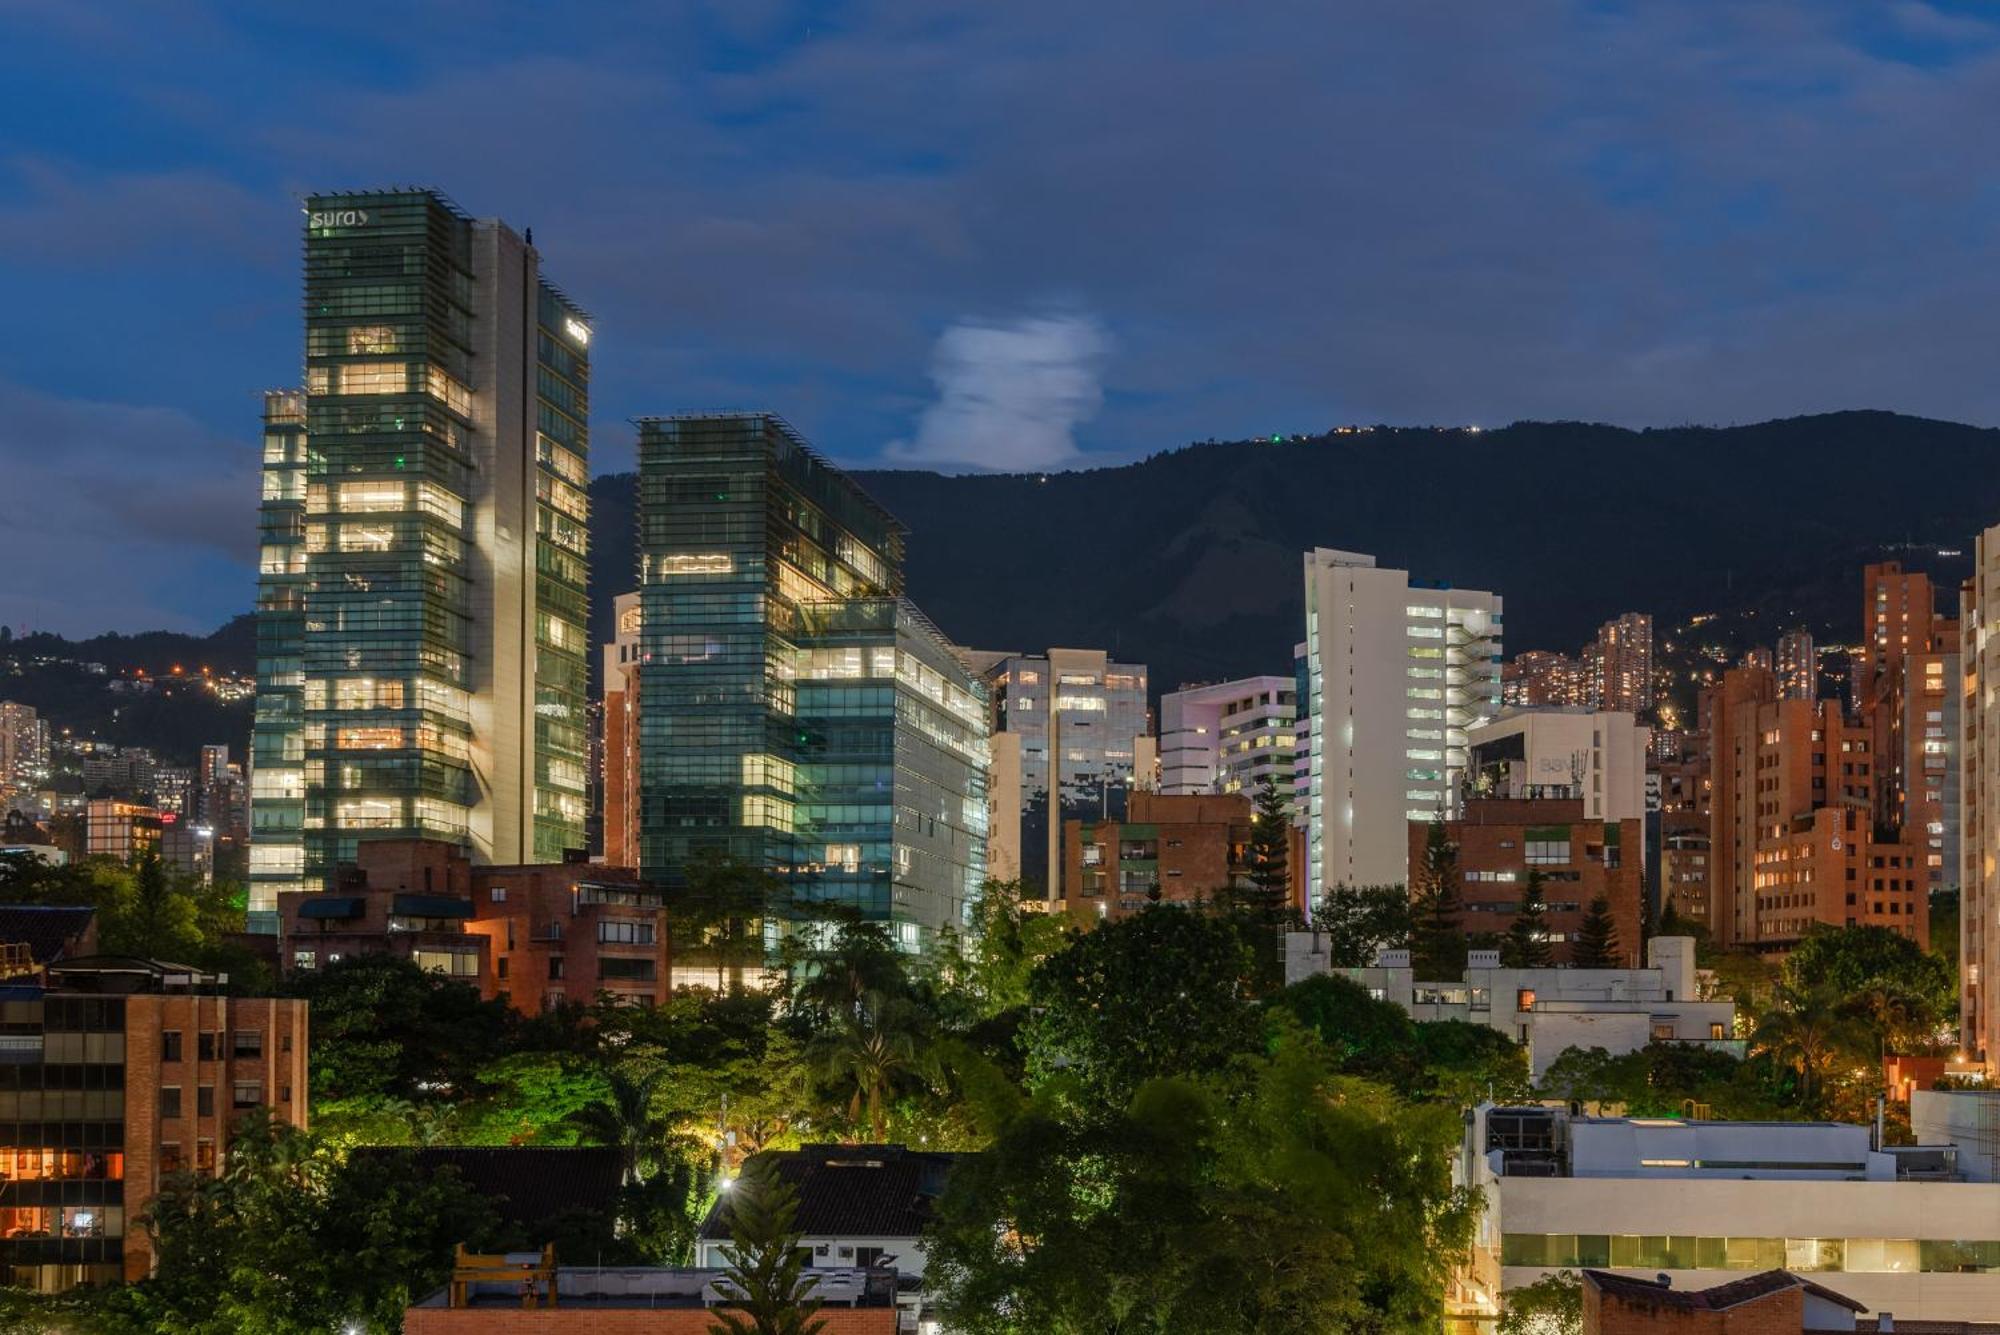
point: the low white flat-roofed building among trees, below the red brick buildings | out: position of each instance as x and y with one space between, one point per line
1547 1010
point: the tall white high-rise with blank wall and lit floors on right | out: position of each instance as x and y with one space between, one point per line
1397 674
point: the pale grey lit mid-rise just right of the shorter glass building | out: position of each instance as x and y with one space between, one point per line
1083 718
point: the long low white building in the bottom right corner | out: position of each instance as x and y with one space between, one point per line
1707 1202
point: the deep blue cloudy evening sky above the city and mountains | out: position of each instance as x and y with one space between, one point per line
1001 235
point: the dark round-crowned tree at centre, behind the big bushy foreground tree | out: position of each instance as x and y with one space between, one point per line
1153 994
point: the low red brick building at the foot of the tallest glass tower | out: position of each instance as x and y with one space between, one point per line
537 934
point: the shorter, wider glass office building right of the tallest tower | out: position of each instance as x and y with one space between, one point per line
795 712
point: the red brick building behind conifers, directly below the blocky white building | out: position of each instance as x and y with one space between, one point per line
1501 840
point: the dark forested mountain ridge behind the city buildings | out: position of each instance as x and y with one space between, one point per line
1189 561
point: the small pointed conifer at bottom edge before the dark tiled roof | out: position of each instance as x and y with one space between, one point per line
765 1280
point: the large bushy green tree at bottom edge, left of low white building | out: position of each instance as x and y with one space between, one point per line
1289 1202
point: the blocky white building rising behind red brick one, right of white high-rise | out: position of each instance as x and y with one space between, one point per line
1565 752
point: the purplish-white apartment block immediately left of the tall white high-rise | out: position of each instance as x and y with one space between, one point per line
1229 738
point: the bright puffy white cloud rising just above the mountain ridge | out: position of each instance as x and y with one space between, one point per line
1011 395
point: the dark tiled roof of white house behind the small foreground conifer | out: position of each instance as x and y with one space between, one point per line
855 1190
